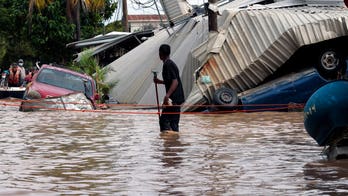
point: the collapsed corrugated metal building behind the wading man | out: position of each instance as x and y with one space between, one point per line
254 40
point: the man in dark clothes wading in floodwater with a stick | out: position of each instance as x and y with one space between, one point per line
169 119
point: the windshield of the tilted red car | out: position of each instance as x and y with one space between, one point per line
65 80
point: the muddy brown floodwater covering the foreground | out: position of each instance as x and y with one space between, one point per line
76 153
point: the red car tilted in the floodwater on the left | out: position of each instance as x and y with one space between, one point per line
53 81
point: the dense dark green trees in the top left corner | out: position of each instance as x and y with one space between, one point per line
40 30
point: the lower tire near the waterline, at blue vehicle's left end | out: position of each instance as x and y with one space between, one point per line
226 97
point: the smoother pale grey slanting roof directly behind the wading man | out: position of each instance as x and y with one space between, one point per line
133 71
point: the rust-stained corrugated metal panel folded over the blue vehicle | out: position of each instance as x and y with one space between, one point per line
258 42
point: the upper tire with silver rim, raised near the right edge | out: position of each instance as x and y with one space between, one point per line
330 62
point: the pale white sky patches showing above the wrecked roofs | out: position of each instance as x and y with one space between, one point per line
134 9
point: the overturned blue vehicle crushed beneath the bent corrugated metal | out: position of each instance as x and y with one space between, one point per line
281 94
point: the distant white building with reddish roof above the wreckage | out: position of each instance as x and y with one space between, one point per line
145 22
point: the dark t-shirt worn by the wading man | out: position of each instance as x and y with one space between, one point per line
170 72
